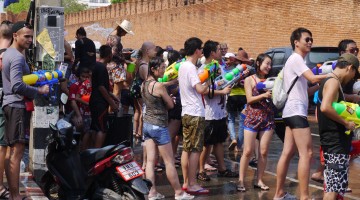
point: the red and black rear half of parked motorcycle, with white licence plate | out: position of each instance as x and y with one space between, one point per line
117 170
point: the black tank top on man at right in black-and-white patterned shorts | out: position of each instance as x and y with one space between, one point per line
332 134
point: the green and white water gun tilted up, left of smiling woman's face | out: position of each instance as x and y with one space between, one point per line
229 78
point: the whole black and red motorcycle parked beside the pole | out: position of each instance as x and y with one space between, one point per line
105 173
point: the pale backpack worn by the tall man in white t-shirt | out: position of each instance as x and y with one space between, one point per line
279 96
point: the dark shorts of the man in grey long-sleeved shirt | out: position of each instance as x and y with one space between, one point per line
17 124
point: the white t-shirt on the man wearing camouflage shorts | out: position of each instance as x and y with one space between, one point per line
191 101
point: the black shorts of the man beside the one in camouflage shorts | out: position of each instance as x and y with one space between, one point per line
215 131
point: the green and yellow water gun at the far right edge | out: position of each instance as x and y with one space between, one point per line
348 111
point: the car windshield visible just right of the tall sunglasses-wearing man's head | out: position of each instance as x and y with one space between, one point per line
321 55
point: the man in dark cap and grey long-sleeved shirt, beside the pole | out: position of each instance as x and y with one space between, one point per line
15 95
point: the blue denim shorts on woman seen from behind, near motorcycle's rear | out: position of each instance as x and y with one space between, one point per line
159 134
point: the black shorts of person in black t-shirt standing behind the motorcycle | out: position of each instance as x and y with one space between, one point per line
99 117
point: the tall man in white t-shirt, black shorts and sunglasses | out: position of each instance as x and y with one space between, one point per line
297 134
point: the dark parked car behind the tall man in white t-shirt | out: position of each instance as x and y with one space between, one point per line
317 55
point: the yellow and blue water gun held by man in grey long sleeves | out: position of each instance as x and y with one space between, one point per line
42 77
